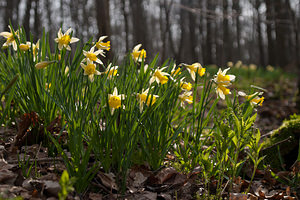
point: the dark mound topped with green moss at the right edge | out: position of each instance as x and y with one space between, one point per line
286 137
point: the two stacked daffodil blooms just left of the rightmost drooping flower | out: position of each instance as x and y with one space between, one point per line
223 81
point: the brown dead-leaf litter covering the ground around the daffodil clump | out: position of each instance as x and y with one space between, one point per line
38 177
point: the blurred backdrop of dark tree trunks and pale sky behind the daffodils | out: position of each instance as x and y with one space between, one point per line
208 31
